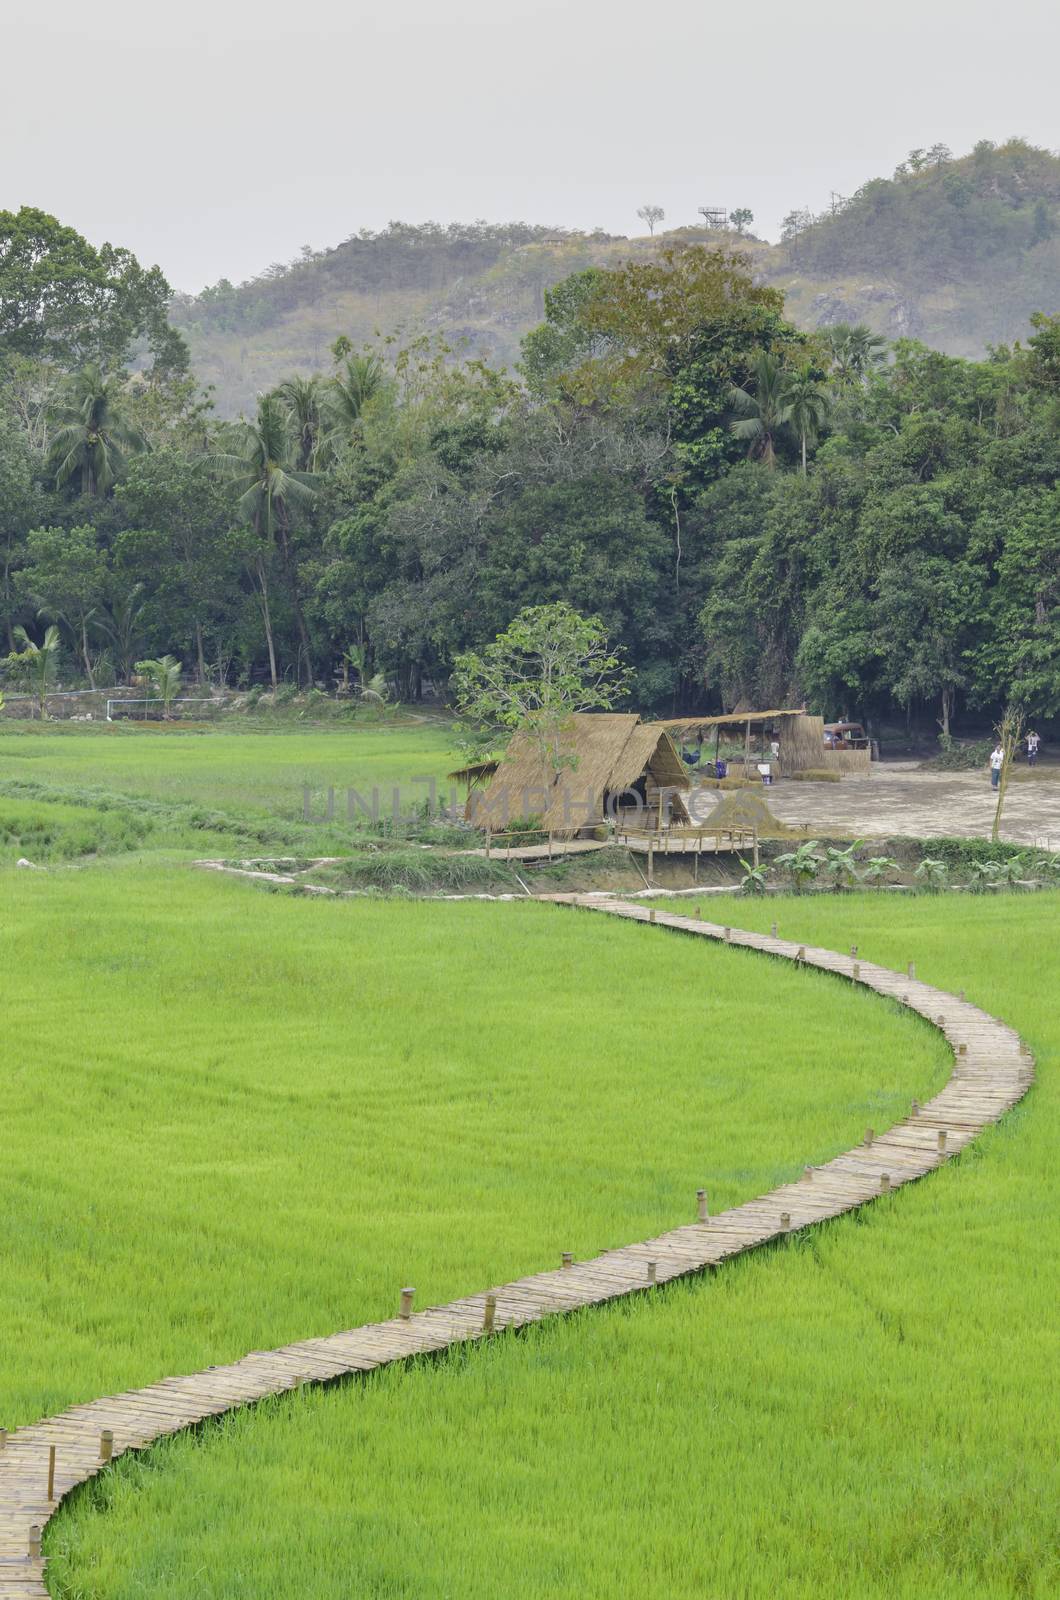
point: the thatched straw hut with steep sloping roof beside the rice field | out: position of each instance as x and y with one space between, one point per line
614 761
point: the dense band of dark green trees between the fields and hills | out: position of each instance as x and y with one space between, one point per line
758 516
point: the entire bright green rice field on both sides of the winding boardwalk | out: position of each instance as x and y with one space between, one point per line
236 1119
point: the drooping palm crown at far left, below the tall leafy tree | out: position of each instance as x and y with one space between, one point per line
94 434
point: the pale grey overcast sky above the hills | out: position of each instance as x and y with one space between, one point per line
217 137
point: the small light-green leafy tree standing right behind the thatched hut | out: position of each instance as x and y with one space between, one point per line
548 665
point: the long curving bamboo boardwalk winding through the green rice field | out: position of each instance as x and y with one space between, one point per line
992 1073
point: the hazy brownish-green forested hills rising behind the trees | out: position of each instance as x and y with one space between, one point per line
957 254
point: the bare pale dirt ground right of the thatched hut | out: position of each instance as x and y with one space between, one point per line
902 798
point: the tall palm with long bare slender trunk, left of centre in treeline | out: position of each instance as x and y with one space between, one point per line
271 489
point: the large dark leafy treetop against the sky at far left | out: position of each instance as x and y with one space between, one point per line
70 303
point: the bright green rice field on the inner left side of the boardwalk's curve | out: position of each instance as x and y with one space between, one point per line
278 1111
